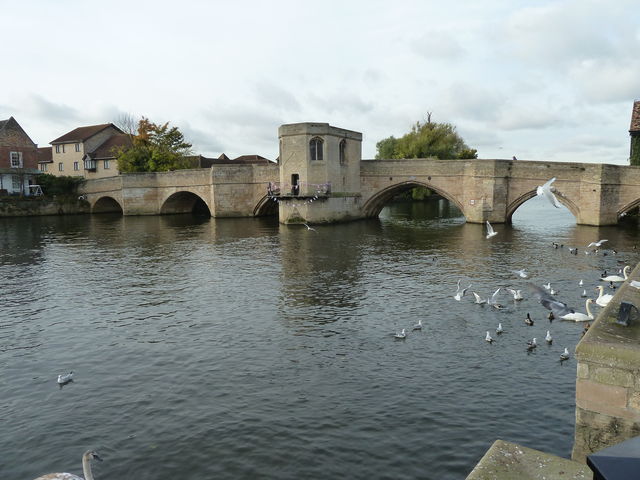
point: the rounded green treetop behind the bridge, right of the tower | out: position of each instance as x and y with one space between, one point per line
427 139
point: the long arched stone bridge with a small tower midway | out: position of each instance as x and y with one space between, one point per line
331 184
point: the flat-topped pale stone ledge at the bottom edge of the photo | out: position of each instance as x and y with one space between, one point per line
505 460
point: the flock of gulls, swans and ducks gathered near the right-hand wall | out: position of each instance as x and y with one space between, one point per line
545 295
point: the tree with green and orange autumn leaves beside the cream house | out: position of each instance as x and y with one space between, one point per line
155 148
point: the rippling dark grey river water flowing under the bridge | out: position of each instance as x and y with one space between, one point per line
242 349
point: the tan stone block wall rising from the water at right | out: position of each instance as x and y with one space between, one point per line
608 378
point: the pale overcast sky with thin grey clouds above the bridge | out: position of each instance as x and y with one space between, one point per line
542 80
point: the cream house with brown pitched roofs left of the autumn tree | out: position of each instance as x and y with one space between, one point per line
87 152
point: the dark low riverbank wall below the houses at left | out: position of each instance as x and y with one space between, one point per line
41 206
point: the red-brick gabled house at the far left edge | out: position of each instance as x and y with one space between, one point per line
18 159
